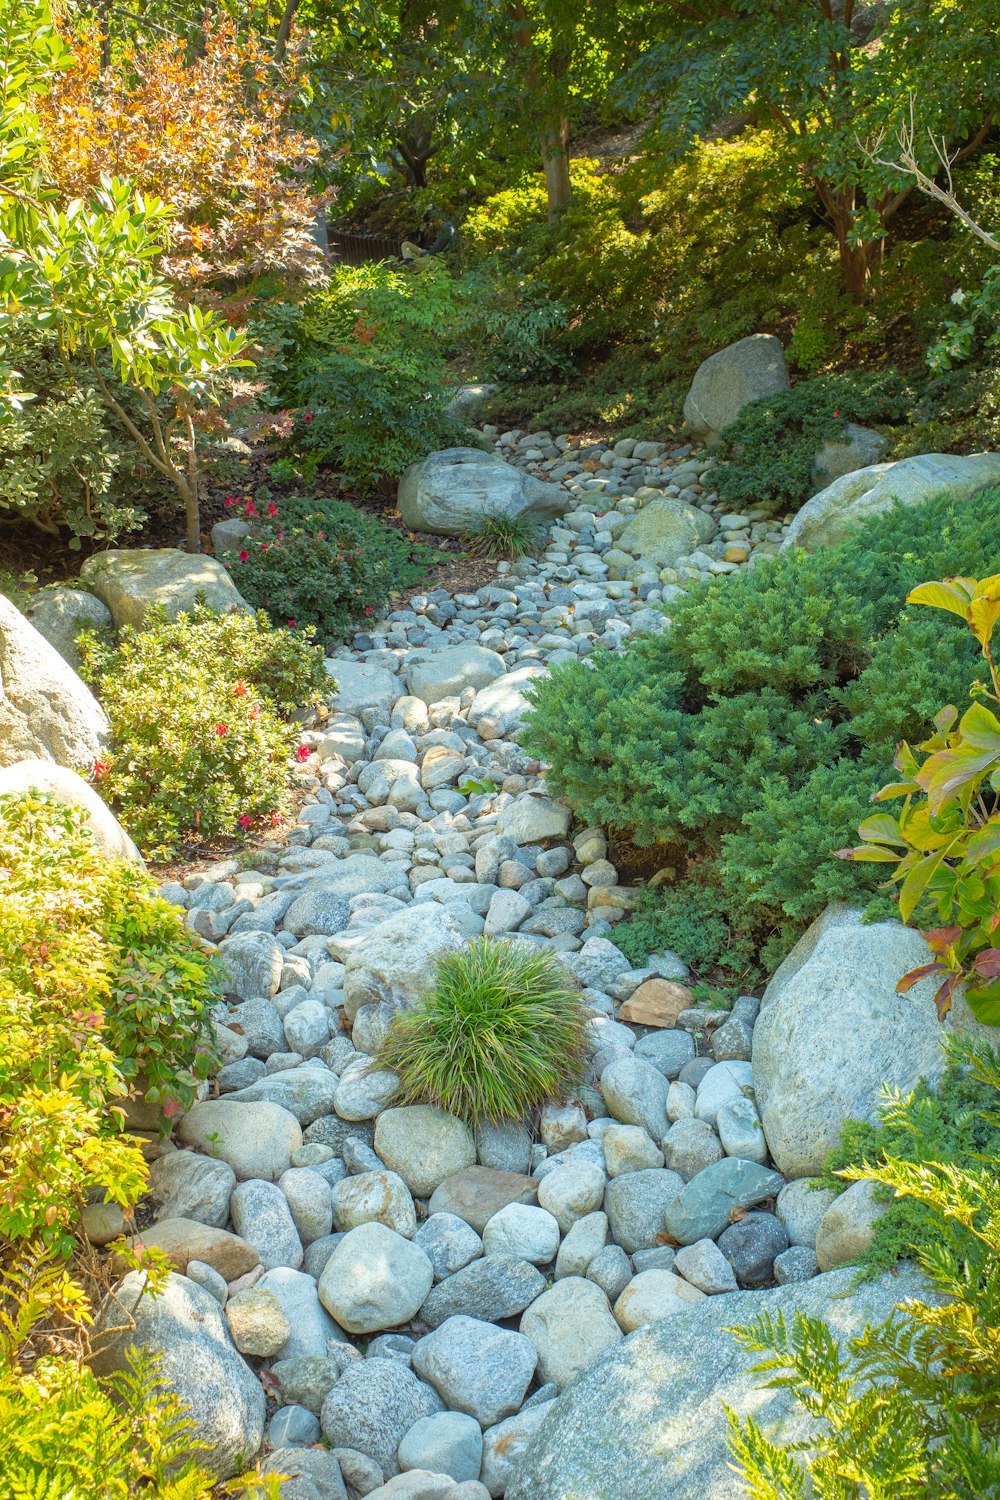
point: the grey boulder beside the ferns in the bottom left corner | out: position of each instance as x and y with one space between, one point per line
188 1330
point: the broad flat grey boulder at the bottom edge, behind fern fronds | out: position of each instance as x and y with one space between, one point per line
648 1420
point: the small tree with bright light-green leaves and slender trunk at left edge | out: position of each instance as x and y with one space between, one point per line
89 274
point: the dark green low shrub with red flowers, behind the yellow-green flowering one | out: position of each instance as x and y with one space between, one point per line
323 563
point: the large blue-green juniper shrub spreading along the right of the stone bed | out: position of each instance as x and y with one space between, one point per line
746 743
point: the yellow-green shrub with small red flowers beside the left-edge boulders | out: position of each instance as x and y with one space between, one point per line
197 706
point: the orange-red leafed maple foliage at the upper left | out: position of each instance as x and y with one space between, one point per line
209 136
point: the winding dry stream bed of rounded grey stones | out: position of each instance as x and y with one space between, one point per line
415 1294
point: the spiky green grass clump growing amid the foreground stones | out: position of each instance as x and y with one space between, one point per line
500 1033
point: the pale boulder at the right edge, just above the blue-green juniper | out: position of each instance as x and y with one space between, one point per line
849 502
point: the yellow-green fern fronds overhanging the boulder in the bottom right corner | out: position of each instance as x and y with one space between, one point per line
911 1408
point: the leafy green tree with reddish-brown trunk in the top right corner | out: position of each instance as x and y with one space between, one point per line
834 76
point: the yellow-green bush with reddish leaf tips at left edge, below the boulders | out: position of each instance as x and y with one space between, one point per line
100 983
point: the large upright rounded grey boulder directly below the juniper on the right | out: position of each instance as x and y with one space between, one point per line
833 1031
